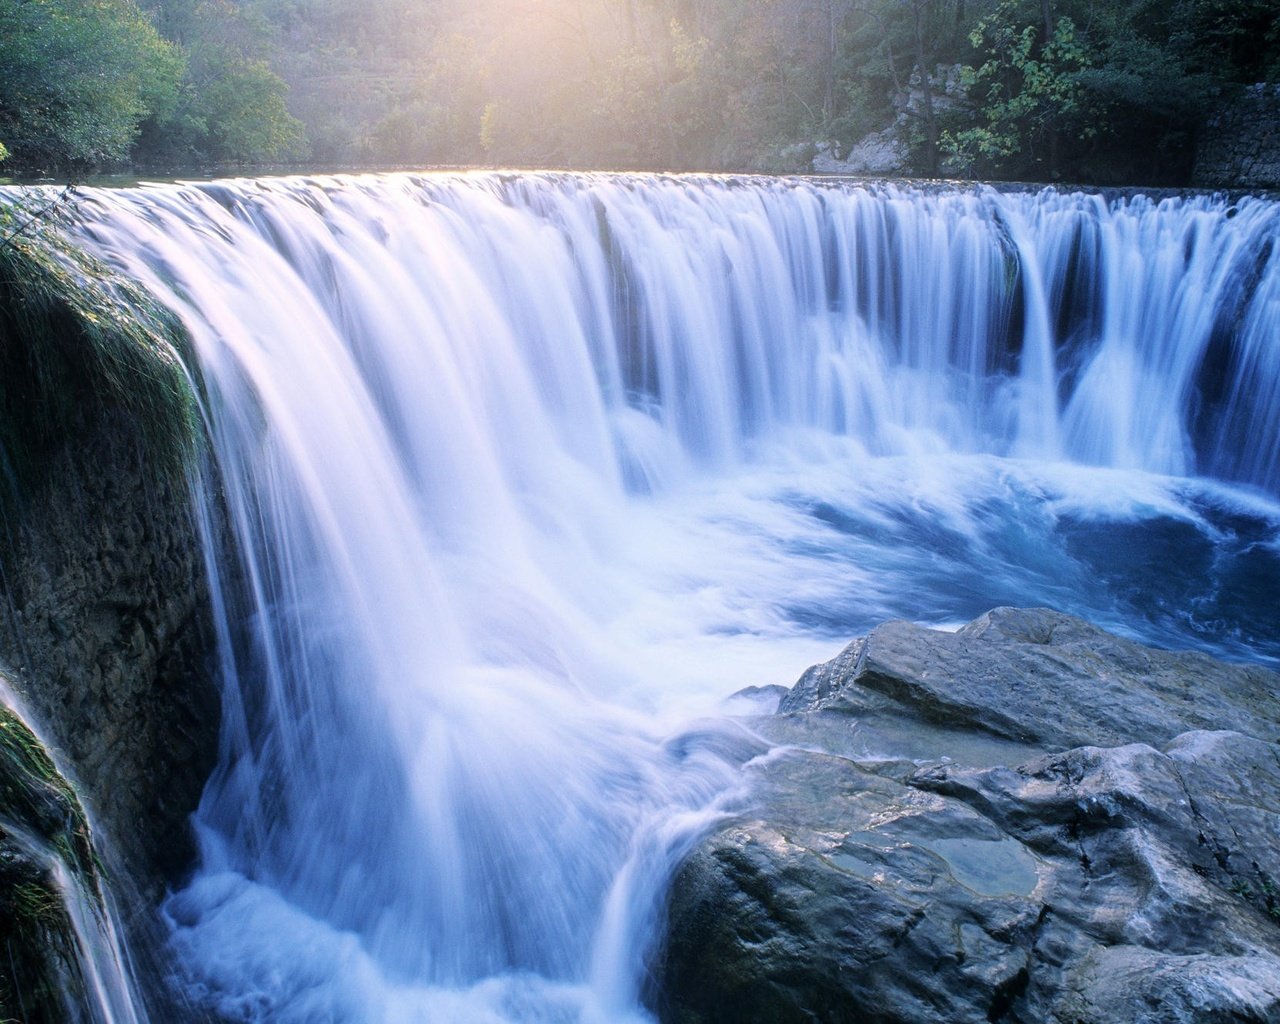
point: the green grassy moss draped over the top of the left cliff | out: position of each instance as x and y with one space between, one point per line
76 342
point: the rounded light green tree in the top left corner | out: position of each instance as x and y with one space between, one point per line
77 79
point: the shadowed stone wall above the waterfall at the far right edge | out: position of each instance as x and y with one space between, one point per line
1240 147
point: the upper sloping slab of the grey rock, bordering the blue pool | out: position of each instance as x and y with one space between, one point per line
1040 678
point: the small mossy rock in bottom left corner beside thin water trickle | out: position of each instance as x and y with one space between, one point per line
42 824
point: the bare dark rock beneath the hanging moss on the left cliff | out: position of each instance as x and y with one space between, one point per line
108 642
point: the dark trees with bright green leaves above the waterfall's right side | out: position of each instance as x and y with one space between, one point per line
1116 93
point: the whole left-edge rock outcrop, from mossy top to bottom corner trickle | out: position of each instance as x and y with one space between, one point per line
106 627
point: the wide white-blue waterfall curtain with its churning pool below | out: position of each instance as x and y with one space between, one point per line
527 472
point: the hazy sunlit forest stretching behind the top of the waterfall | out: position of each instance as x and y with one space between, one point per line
1109 92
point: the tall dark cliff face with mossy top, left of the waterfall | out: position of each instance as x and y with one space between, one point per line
107 614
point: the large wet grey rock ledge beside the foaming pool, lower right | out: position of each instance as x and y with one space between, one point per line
1030 820
